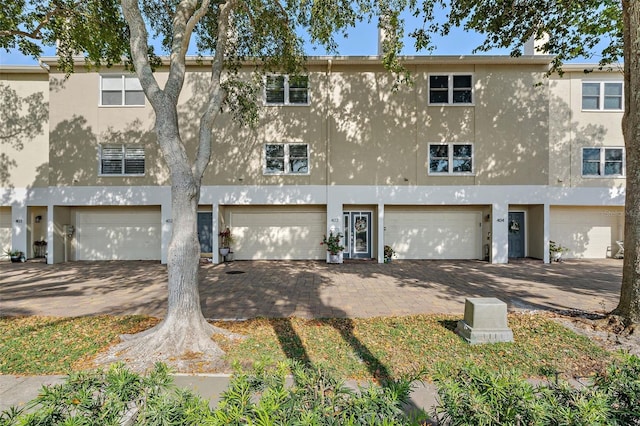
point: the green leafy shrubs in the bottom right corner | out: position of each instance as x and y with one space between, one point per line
476 396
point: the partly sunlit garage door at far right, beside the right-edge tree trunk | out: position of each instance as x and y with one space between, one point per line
588 232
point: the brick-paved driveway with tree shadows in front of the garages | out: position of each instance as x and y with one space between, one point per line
246 289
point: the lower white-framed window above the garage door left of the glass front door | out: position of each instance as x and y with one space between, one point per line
286 158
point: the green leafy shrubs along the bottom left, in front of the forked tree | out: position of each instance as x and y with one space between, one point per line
119 396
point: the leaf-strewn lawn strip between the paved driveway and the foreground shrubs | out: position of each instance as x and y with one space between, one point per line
351 348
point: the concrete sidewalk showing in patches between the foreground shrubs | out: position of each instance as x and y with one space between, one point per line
19 390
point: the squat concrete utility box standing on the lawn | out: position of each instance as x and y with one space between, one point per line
485 321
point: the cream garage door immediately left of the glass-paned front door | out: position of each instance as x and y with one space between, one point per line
278 234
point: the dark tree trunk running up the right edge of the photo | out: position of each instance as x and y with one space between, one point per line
629 305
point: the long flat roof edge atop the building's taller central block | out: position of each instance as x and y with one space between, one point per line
368 60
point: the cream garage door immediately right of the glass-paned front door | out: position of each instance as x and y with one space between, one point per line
434 235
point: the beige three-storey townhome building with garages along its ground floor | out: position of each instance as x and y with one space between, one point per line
480 157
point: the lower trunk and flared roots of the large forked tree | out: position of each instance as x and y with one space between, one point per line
183 339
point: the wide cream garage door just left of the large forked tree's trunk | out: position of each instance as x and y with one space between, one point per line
118 234
